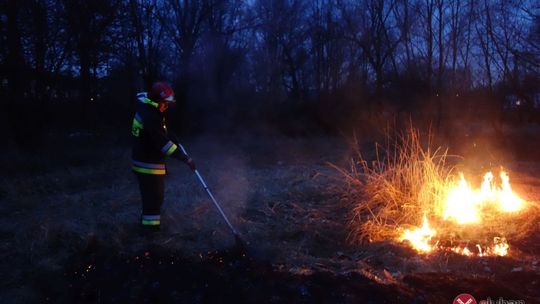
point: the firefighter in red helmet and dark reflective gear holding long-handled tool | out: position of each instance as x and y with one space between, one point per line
151 145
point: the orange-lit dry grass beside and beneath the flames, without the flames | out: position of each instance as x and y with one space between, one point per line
405 179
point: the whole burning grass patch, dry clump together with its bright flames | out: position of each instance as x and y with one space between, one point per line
410 192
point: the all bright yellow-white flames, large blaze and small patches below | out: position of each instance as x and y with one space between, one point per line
467 207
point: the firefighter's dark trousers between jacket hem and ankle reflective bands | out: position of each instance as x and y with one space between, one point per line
152 189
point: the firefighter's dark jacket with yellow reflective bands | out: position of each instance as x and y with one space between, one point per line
151 143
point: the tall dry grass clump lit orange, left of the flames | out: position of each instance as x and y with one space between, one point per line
406 179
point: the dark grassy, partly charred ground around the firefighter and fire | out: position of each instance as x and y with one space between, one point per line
69 230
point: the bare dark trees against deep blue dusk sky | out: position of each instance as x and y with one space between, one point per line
244 59
